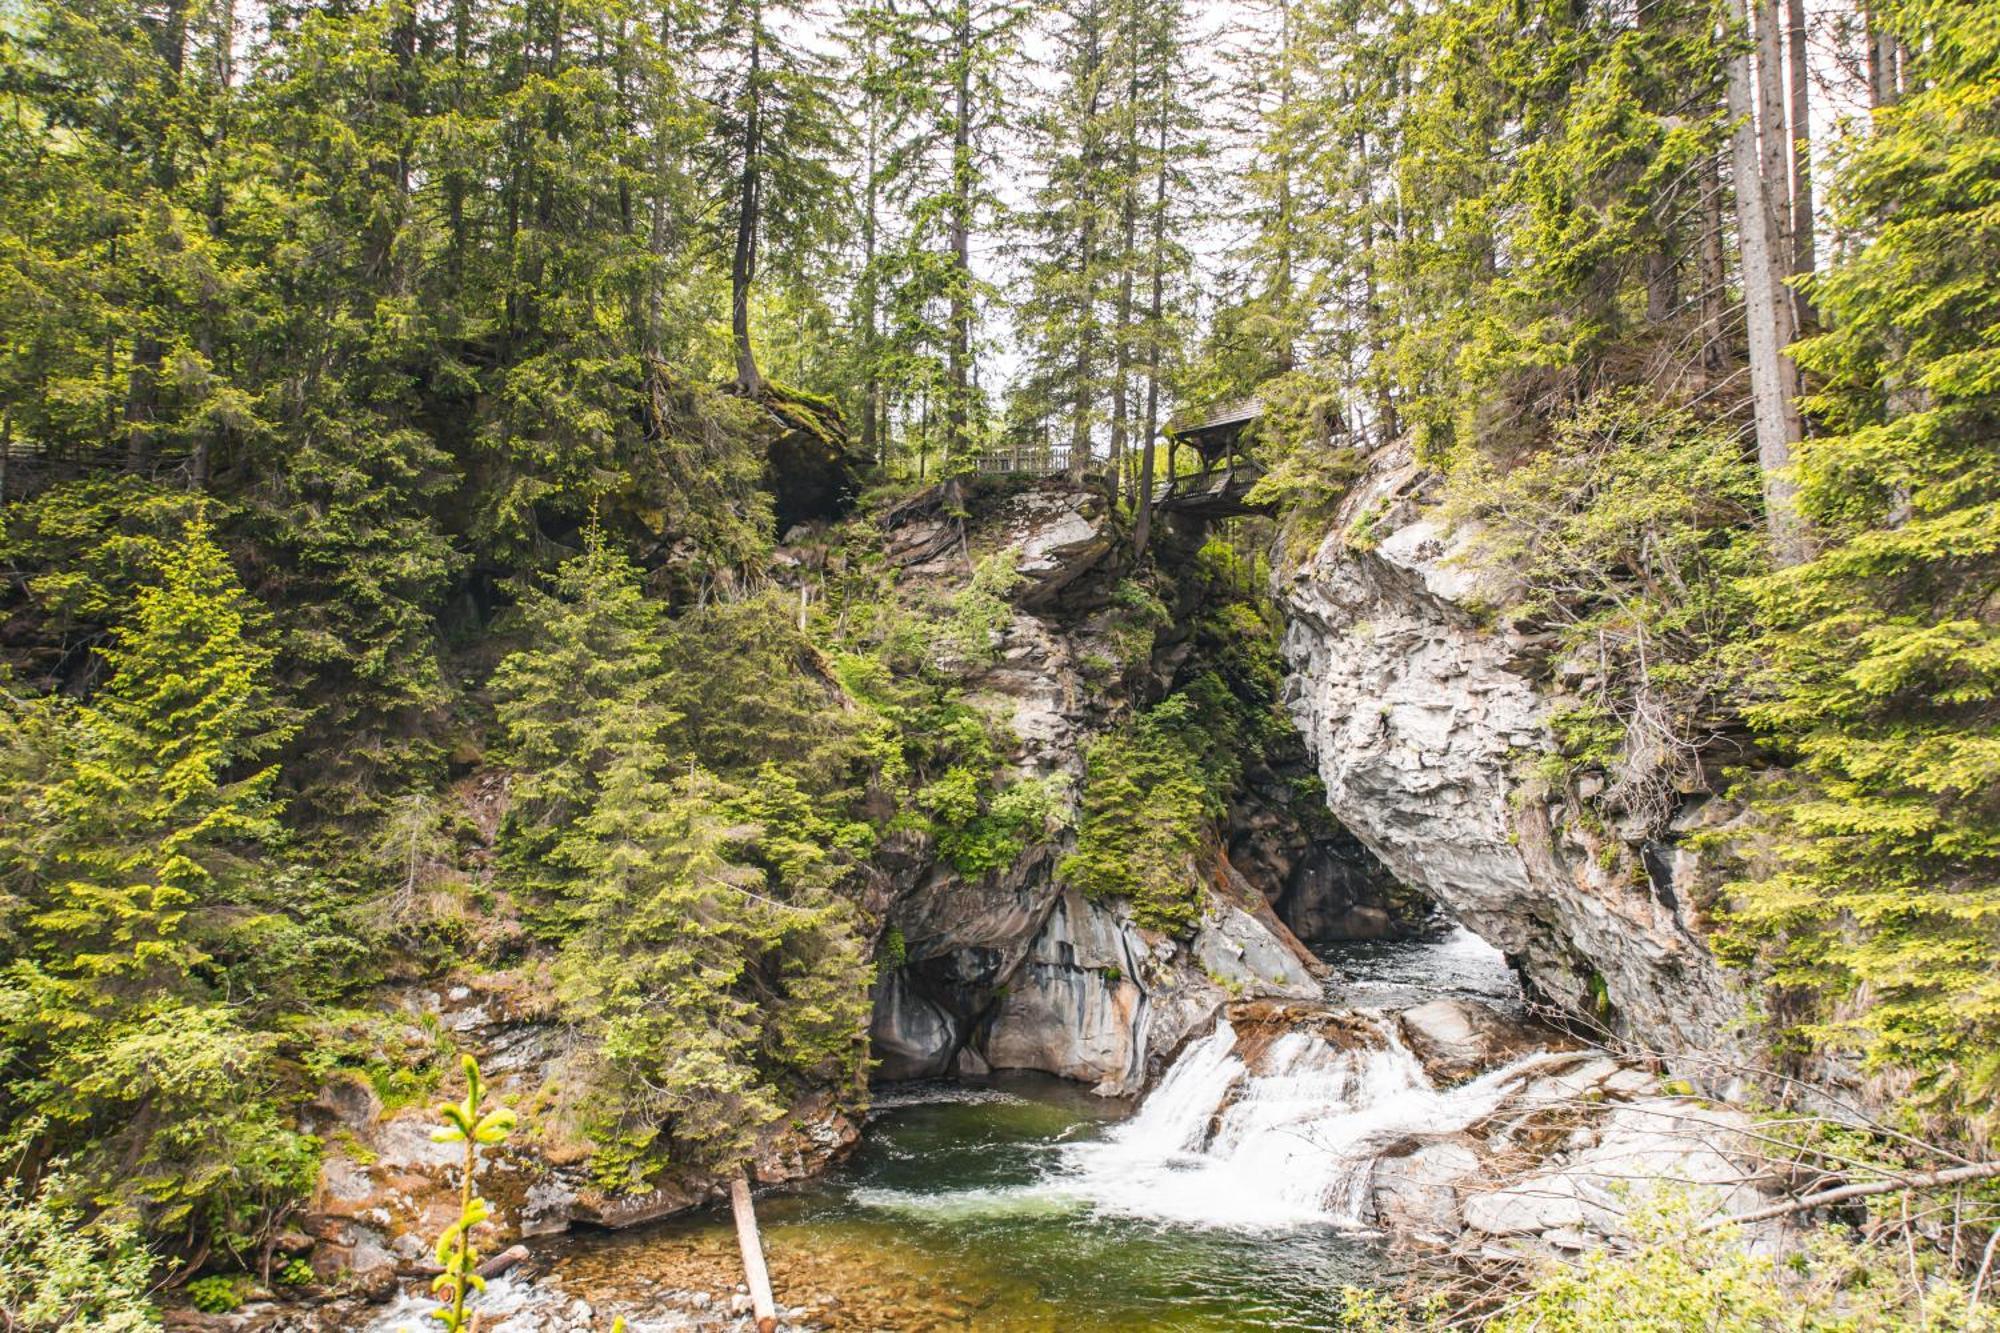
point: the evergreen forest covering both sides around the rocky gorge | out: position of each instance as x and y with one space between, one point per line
403 393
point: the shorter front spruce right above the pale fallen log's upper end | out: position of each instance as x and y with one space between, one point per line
703 986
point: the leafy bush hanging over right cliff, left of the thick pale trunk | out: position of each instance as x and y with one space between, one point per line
1629 537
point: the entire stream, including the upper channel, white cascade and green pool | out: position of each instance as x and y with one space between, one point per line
1023 1204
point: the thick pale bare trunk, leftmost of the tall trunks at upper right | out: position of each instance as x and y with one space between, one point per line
1767 309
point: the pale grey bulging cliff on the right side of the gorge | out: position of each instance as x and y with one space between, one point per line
1425 724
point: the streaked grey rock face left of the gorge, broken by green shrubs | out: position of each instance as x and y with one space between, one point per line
1015 972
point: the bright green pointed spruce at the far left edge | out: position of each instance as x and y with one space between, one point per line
131 854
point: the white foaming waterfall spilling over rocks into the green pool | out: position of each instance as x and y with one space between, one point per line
1287 1144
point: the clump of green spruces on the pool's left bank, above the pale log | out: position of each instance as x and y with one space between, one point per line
701 936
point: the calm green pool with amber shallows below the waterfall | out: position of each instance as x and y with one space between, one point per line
961 1210
